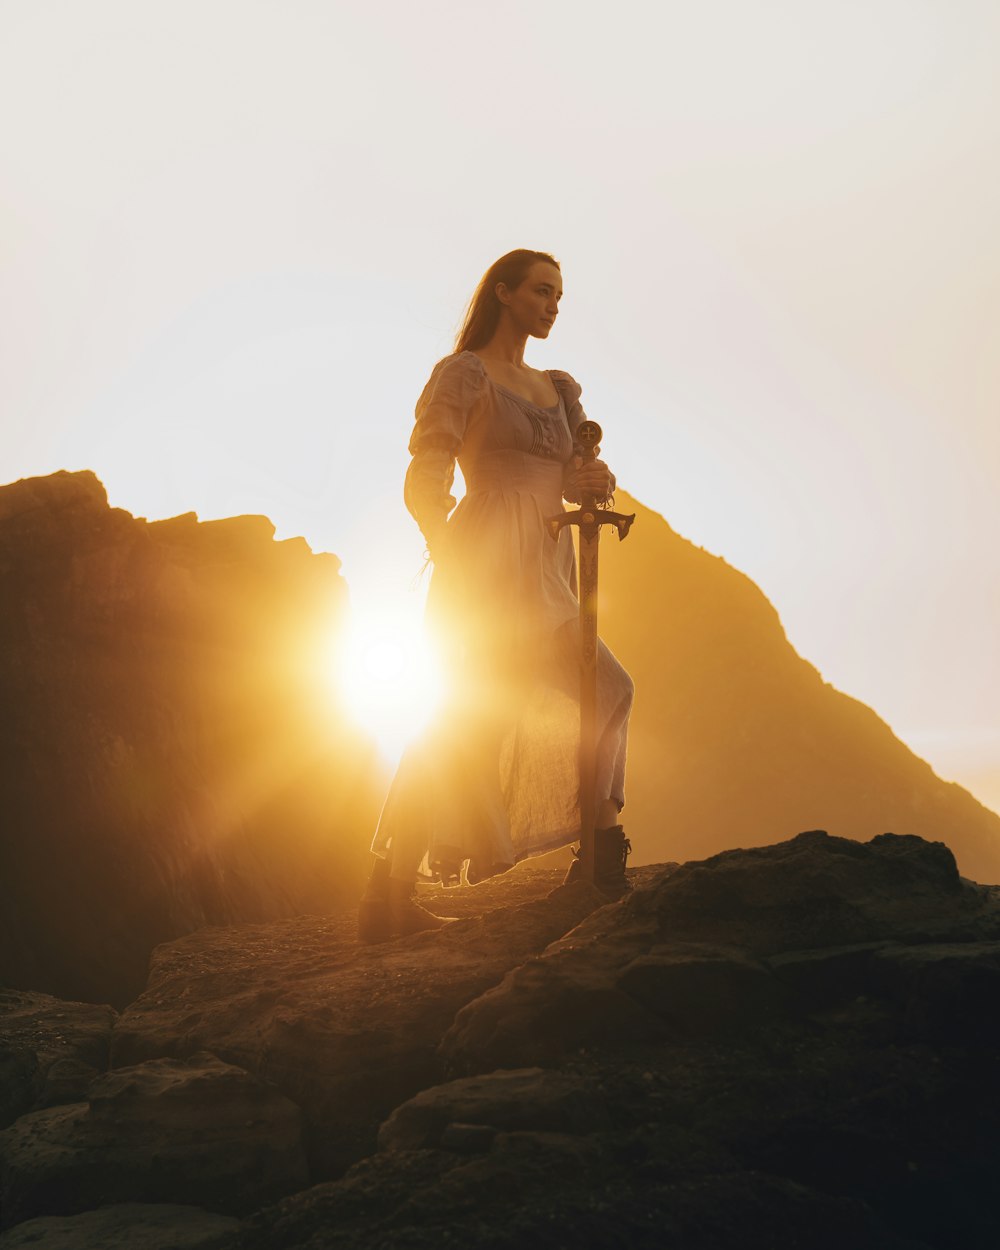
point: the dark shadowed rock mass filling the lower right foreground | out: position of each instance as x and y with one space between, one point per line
709 1073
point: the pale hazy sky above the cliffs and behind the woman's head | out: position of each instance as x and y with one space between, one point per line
237 236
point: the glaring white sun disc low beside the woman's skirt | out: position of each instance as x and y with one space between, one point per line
389 678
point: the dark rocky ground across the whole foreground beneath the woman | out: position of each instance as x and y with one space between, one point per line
791 1047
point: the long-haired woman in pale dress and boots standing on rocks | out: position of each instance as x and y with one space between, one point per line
497 778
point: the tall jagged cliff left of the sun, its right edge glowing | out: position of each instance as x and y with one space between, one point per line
172 753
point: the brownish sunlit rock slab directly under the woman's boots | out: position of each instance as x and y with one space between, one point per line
348 1032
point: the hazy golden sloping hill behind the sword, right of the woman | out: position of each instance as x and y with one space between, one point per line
736 738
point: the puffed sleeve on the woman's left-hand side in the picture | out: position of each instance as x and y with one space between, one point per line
444 411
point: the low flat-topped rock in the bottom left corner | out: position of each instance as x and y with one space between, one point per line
132 1227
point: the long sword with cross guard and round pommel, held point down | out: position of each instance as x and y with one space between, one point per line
589 518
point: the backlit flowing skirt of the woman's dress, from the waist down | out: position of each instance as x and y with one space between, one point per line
496 779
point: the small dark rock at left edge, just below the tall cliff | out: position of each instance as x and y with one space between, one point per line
51 1051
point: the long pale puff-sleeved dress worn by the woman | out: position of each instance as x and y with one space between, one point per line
497 778
